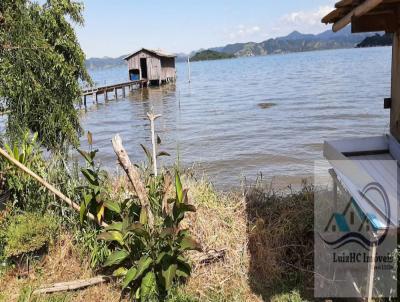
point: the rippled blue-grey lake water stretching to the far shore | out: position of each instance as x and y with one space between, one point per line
216 122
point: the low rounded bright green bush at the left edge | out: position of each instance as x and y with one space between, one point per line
28 233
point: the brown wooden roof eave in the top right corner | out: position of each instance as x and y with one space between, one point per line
365 15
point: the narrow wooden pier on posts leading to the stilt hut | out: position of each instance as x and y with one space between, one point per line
113 89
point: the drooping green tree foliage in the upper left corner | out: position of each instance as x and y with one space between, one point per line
41 66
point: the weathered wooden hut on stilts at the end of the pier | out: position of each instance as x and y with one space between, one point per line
153 66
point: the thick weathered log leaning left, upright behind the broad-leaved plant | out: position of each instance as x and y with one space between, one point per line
134 177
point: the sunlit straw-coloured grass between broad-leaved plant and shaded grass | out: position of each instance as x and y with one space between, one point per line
220 222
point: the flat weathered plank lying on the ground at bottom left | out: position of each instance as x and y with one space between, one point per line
72 285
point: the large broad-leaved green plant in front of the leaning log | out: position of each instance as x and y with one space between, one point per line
151 258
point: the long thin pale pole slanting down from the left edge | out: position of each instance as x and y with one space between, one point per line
50 187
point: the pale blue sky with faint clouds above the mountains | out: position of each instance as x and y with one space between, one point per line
114 28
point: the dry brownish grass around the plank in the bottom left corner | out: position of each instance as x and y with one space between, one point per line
61 264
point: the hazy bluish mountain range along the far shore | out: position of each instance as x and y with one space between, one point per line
294 42
